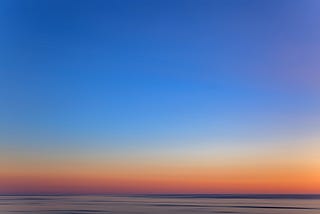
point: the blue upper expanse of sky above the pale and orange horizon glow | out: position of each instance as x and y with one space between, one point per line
151 69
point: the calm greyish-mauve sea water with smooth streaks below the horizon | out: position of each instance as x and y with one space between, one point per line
161 204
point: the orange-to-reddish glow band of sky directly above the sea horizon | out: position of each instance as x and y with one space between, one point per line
245 179
